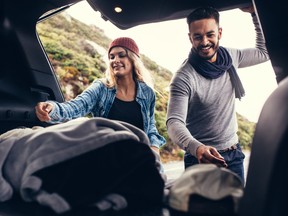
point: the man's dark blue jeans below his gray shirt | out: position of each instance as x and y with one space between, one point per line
233 158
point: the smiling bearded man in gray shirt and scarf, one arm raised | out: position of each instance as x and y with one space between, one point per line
201 115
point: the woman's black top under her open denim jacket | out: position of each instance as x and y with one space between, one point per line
127 111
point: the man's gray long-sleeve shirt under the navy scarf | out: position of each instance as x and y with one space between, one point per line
201 111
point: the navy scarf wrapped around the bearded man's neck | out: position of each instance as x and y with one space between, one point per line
216 69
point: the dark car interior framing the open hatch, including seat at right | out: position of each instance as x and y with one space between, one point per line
27 77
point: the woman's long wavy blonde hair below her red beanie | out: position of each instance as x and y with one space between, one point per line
140 73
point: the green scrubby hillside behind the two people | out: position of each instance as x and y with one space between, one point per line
74 50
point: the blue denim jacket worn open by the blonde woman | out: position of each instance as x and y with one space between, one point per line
97 99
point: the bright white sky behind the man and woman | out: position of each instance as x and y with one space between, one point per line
168 45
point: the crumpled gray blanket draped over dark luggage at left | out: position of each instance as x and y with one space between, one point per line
28 150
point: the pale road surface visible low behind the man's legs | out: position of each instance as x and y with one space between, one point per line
174 169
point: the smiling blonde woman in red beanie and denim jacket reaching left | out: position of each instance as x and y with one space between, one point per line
122 95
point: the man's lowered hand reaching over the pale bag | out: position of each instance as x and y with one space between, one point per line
208 154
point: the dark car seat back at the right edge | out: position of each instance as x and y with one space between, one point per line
266 188
